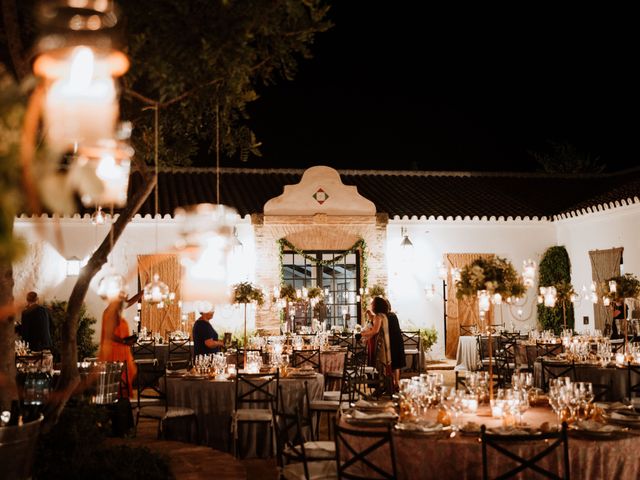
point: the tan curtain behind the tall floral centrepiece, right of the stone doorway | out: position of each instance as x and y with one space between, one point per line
459 312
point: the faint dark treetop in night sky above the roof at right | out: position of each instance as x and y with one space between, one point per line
564 157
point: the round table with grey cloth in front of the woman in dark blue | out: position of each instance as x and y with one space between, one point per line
213 402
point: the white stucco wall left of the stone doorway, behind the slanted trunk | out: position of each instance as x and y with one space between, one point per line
44 267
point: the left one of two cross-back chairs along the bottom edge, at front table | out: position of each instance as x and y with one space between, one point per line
358 453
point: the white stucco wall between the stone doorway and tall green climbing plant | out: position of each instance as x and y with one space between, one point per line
411 272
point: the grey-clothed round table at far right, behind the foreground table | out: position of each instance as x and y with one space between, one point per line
613 376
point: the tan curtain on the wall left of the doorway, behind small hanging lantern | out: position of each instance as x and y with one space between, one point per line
166 319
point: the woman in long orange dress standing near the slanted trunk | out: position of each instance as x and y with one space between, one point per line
115 342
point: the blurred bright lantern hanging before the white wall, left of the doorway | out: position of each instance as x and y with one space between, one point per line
207 232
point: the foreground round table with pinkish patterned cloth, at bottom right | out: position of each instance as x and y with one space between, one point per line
439 456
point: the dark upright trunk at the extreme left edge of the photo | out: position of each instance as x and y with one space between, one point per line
8 389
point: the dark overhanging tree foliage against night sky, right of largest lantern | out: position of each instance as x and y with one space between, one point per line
200 57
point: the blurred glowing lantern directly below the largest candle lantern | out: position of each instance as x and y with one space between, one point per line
100 173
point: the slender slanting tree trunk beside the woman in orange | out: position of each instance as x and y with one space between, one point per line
69 377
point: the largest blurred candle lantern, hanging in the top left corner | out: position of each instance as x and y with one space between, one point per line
78 56
